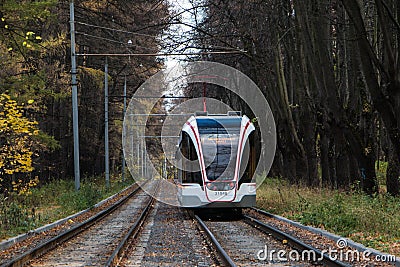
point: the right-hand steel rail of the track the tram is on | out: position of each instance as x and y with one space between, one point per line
293 242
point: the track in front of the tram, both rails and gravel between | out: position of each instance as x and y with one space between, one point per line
239 243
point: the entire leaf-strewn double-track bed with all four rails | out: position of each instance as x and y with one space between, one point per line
169 236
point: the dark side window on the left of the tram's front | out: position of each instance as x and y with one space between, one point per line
191 167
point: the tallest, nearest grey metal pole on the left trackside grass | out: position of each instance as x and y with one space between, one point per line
74 98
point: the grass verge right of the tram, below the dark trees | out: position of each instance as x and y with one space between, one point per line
372 221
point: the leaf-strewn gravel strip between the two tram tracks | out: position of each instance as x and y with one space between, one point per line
169 238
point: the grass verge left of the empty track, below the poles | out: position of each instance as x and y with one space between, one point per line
55 200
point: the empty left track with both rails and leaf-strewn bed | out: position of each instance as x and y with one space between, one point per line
98 241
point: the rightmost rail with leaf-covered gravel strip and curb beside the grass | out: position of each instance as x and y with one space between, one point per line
348 252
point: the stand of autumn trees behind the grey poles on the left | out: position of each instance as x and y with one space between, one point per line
35 64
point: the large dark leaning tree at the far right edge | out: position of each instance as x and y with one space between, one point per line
381 70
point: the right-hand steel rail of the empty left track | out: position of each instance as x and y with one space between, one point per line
120 250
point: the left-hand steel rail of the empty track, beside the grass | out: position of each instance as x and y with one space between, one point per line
65 236
